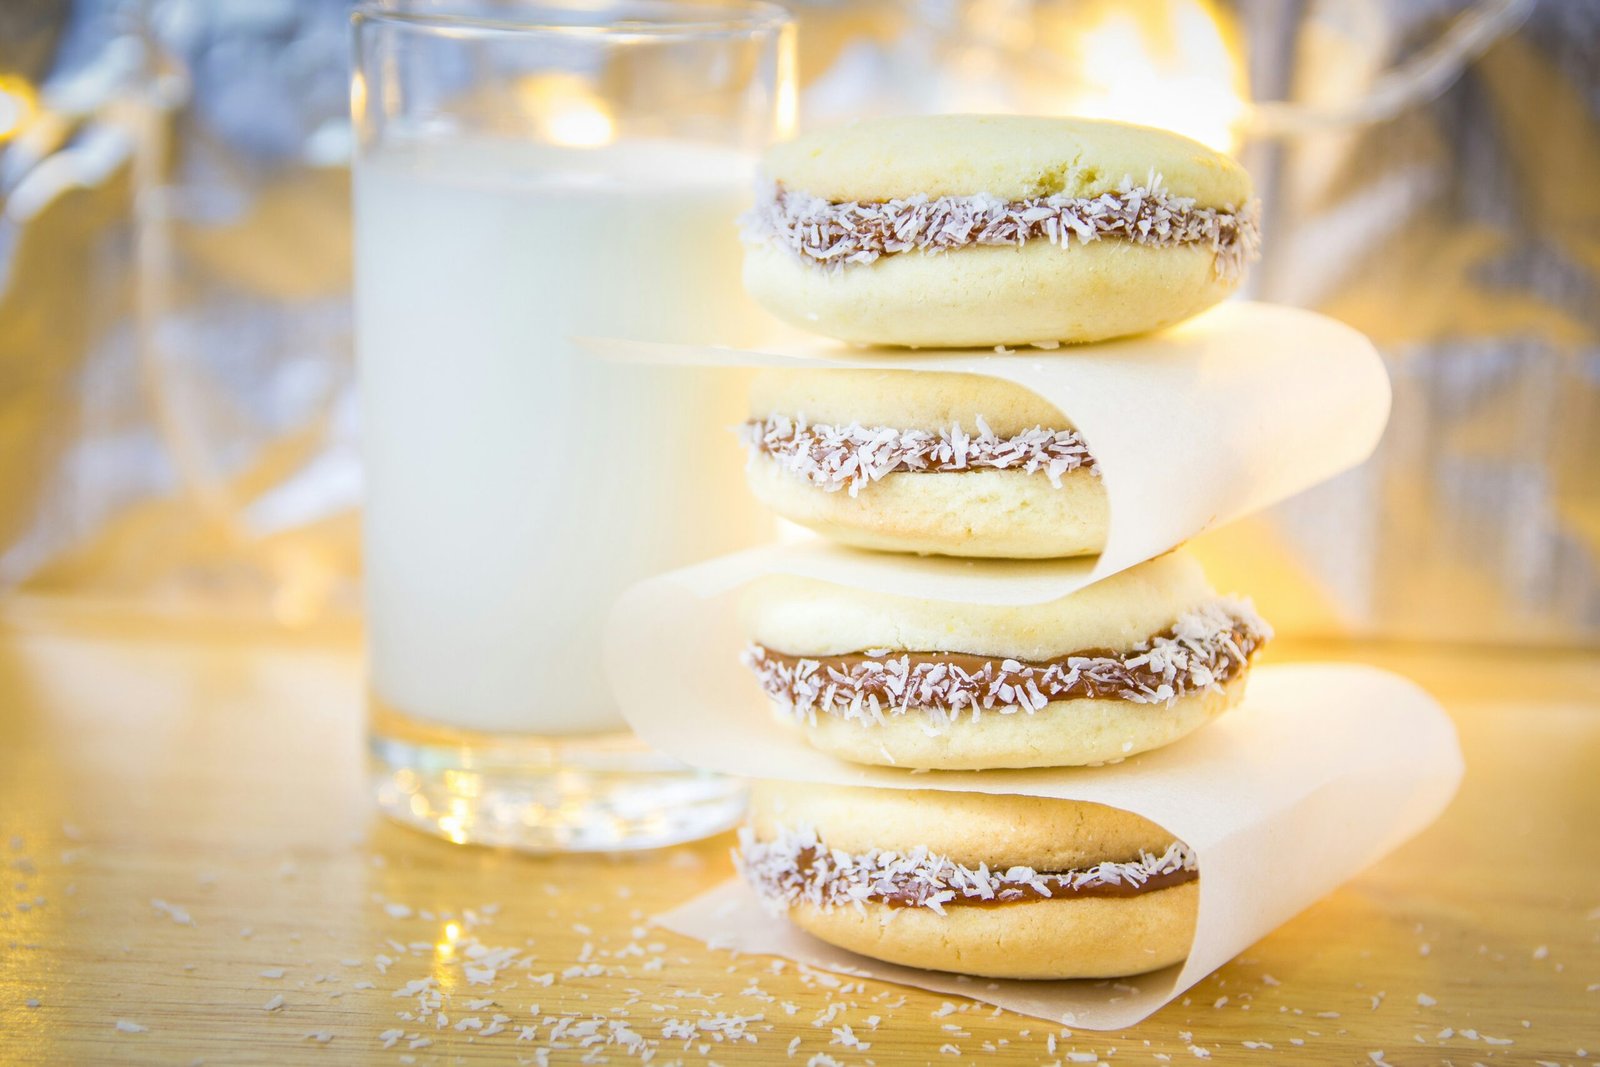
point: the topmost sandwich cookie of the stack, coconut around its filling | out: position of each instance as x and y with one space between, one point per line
996 230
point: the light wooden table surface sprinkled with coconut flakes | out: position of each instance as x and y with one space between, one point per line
193 874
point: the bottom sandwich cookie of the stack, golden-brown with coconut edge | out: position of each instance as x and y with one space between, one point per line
983 884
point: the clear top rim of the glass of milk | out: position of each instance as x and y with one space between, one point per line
455 17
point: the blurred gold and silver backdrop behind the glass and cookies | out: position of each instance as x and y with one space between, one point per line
177 418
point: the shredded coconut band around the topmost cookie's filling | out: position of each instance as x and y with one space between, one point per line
842 234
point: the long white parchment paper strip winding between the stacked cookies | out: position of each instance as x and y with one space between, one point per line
1322 772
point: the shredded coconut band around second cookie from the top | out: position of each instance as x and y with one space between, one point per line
852 457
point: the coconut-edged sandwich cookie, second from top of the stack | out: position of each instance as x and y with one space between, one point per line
934 463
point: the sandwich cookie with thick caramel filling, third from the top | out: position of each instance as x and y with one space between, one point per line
1119 668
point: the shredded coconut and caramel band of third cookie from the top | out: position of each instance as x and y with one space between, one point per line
1202 652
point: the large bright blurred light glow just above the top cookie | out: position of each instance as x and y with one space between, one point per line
1167 65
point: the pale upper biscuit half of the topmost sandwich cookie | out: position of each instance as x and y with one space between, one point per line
1010 158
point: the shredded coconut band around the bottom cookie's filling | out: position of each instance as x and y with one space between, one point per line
798 868
